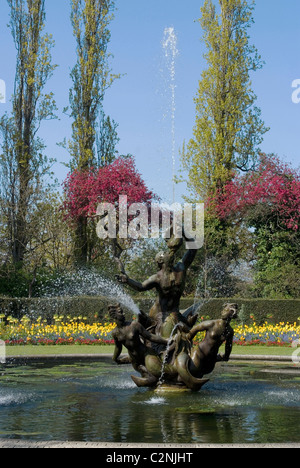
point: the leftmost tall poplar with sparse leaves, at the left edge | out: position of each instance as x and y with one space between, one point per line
22 162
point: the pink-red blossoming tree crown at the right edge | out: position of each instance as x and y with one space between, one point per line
267 197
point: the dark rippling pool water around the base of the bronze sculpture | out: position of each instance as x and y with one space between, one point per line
98 402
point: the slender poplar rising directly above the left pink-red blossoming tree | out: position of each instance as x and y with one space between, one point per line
91 77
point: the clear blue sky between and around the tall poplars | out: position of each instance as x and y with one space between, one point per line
140 101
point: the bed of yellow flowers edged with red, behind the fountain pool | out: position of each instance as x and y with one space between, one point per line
70 331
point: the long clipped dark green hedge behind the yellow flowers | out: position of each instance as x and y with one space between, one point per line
95 308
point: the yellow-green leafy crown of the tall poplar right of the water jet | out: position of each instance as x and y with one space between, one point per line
228 129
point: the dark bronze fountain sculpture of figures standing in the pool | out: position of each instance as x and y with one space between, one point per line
160 345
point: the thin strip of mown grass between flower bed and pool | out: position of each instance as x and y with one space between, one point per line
83 349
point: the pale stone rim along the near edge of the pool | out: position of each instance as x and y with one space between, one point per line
156 447
